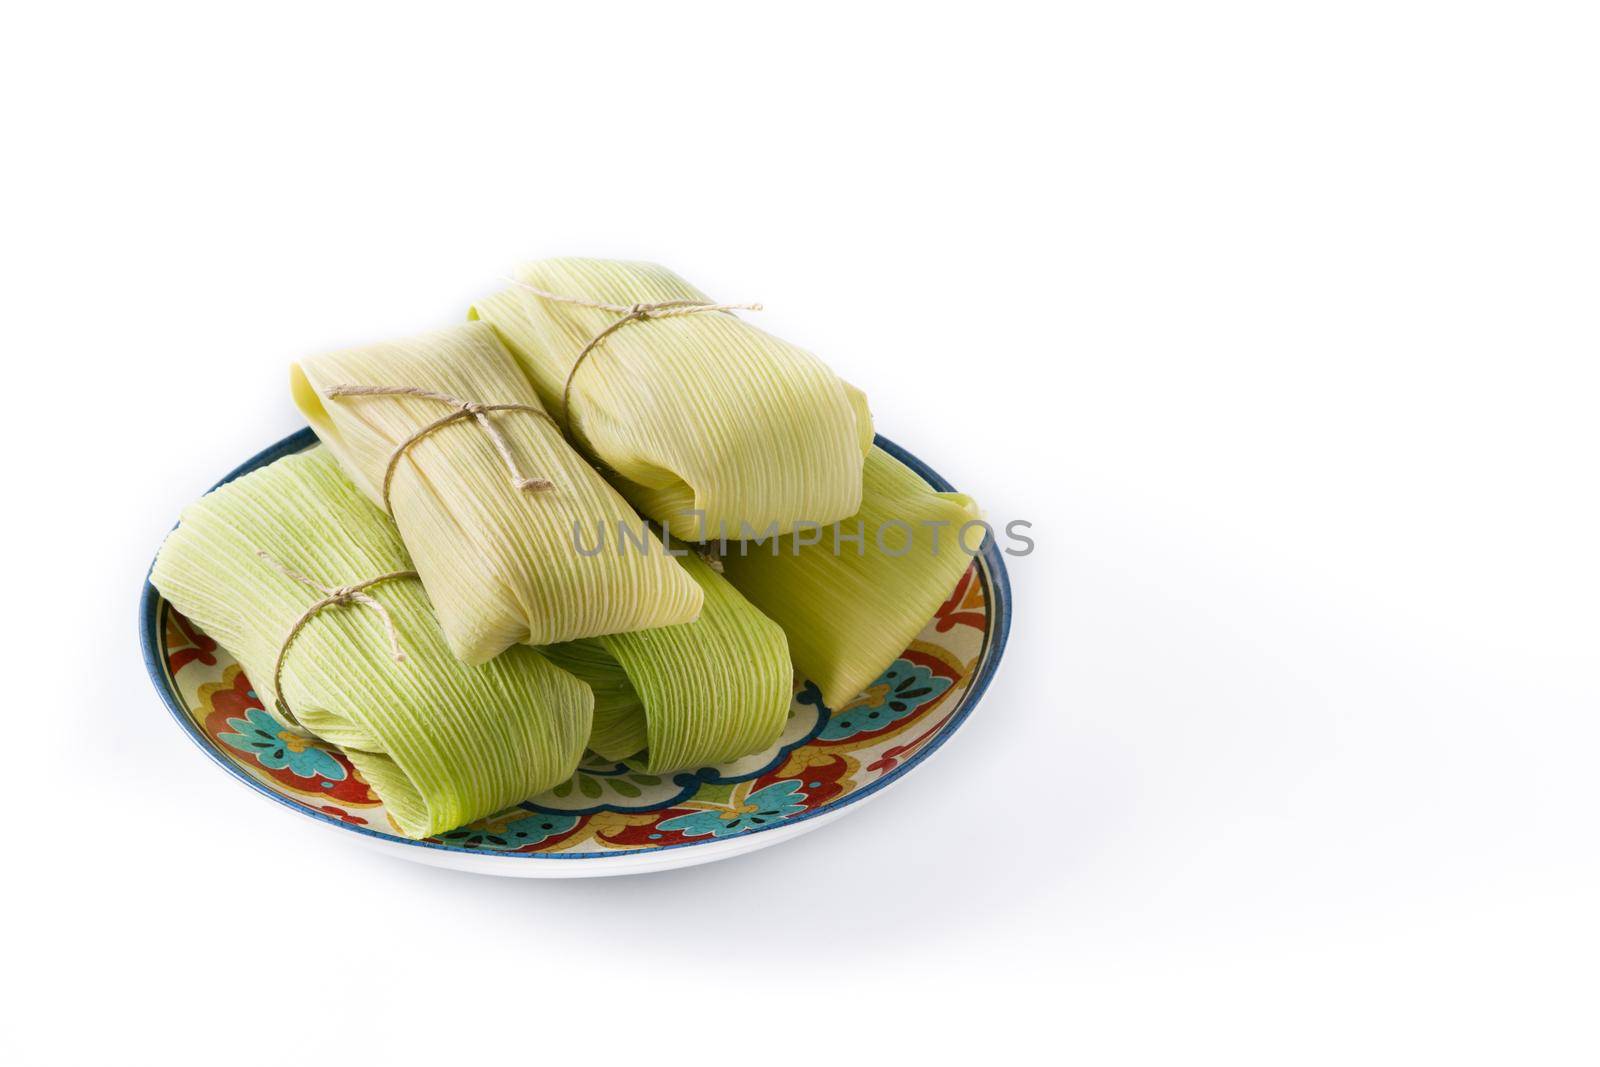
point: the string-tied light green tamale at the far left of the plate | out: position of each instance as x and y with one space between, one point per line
439 741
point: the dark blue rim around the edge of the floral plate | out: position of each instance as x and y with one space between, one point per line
993 573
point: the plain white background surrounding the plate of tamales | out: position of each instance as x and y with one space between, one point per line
1278 321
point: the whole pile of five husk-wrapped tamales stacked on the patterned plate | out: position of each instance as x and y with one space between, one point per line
462 588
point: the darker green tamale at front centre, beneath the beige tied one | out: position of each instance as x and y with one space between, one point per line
694 695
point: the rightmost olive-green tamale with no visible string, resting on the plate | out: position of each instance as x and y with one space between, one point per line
849 615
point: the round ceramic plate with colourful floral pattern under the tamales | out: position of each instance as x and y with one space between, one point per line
614 818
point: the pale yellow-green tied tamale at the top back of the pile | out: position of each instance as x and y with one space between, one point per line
697 412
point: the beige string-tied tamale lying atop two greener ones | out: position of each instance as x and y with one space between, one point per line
500 564
